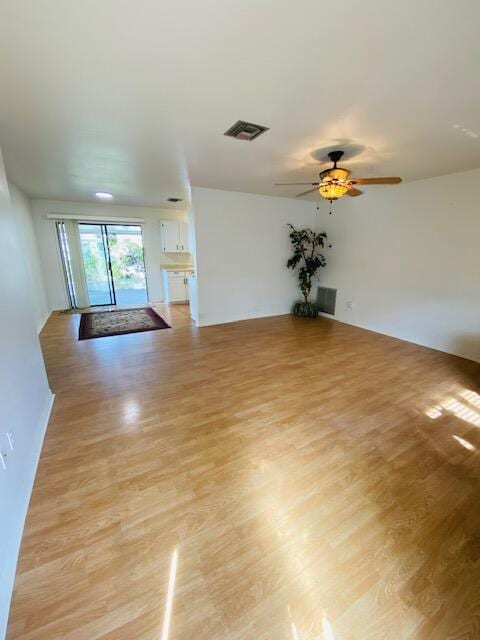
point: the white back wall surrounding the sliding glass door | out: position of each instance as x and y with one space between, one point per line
50 256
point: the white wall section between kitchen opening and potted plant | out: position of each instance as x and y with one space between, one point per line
242 246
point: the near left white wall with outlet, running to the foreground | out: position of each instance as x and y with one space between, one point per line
25 395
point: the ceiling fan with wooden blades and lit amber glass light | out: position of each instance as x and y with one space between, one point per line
335 183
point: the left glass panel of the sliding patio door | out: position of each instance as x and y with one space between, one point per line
93 241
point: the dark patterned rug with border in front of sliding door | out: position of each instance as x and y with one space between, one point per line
118 322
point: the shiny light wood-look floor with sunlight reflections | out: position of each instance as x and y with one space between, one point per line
274 479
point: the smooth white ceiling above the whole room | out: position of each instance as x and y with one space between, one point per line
133 96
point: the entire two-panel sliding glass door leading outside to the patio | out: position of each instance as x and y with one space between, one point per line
113 263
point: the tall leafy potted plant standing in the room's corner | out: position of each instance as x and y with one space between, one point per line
306 245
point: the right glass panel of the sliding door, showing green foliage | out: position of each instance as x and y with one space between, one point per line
127 263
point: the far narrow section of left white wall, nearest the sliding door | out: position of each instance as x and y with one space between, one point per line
36 286
